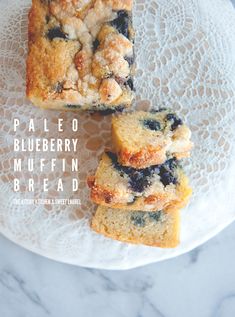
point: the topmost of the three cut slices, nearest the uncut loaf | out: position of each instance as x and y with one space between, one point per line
143 138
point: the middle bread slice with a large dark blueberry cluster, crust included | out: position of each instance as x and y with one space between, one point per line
153 188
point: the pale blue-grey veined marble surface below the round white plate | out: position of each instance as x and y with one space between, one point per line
198 284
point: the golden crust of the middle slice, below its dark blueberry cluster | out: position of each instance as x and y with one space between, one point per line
108 189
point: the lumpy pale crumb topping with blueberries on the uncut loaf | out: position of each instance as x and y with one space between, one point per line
100 71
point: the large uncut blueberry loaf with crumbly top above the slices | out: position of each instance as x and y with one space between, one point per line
80 54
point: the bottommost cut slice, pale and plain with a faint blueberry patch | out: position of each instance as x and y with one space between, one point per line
157 228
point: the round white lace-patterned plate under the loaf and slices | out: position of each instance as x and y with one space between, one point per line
185 53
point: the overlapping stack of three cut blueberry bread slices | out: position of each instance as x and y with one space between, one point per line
140 185
